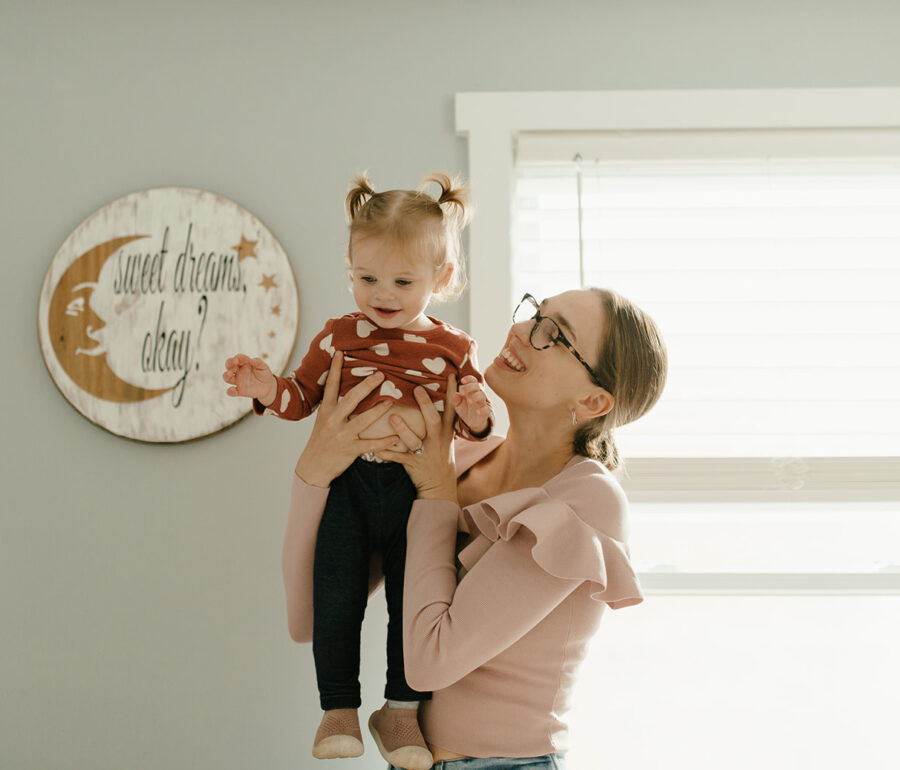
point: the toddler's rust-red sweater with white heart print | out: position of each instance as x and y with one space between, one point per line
406 358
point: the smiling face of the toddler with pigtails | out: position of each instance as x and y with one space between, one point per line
391 288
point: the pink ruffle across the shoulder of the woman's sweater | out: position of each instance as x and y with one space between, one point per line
566 545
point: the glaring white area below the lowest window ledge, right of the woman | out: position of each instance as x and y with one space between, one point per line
705 683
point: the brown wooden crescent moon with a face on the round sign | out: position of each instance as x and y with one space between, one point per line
73 326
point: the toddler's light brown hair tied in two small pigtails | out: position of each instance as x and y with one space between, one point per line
416 223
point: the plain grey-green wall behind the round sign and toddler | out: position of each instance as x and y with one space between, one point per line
141 606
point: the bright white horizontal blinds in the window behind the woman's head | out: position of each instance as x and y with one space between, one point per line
776 285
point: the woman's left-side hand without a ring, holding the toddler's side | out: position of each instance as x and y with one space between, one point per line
335 443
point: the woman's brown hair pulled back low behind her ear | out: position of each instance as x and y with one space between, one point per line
632 367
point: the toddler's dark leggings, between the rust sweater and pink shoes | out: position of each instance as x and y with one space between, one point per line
366 512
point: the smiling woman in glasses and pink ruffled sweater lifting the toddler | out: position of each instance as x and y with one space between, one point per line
498 627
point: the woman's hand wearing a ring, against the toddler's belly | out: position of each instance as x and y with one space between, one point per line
433 471
